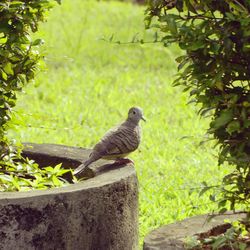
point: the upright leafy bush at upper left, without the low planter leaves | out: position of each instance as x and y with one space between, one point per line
18 53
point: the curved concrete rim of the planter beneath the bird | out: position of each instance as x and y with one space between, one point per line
70 157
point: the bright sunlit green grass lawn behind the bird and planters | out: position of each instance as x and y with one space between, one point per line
88 87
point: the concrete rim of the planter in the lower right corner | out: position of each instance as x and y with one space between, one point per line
172 236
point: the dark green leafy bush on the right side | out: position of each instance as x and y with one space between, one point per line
216 71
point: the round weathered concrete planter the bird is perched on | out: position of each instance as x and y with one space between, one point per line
98 213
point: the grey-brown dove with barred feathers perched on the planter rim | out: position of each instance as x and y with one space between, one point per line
118 142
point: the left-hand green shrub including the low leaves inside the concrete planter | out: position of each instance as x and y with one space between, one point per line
19 58
